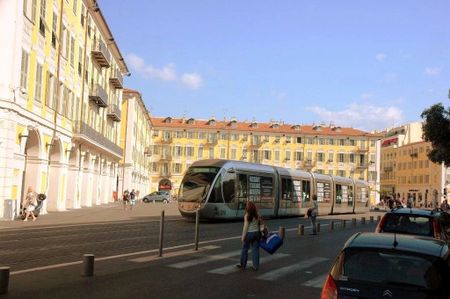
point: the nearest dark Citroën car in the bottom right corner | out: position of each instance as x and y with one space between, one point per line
373 265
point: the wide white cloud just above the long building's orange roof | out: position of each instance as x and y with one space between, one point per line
364 116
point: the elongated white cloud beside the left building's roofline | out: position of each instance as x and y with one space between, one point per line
166 73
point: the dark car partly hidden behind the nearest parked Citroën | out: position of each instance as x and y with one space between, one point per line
432 223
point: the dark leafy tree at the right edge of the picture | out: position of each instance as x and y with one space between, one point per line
436 129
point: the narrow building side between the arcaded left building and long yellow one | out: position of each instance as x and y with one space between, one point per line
135 137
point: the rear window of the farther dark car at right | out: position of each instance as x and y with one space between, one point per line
408 224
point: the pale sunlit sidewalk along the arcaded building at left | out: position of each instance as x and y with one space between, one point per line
112 212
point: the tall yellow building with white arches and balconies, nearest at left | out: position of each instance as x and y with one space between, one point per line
60 91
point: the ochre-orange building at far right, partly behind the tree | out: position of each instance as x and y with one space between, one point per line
406 171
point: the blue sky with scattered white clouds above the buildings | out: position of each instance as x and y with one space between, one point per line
368 64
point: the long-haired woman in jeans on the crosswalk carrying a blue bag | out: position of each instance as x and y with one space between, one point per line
250 236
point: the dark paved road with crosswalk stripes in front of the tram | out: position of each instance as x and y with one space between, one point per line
46 262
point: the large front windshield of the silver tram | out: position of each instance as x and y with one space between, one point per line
196 183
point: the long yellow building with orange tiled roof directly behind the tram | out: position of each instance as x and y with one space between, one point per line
177 143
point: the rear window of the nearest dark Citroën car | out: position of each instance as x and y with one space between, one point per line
394 267
